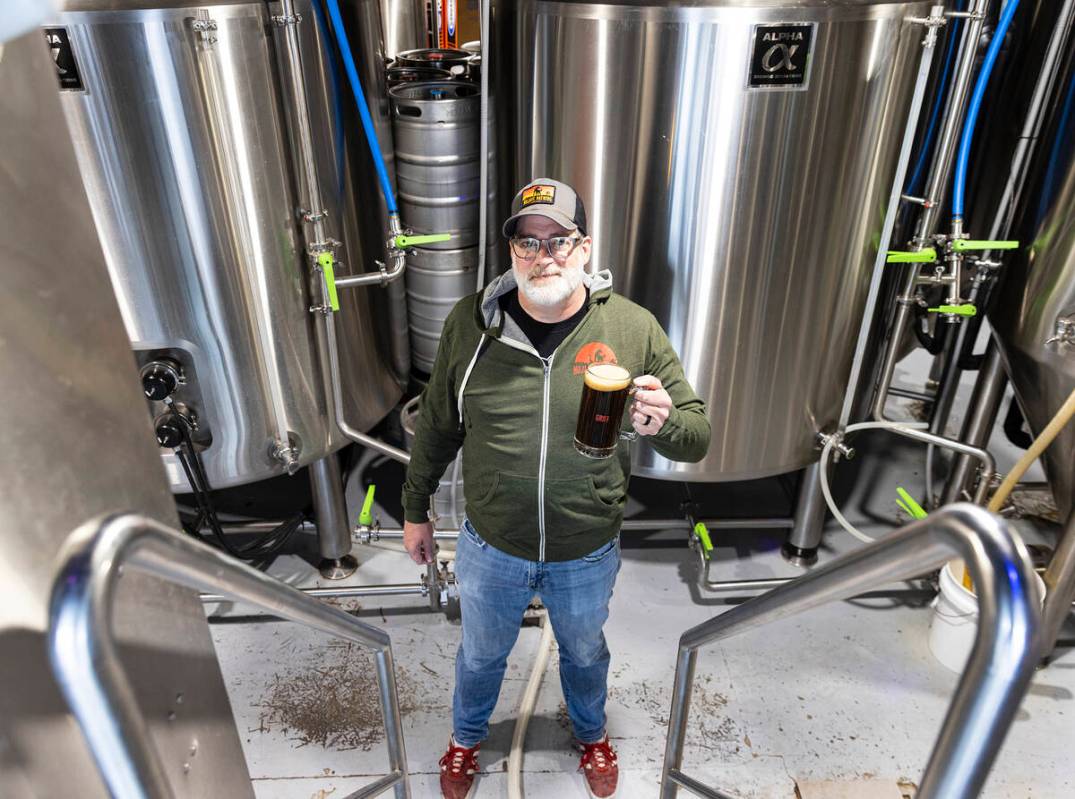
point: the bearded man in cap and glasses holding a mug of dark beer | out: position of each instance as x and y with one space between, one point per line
542 519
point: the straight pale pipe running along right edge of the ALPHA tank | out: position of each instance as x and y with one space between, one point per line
911 127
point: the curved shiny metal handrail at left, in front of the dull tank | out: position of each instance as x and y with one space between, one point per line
84 655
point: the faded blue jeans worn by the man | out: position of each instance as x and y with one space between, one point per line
495 590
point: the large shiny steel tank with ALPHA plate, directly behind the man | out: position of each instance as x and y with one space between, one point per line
736 161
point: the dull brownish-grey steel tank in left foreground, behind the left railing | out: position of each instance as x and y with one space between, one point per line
79 448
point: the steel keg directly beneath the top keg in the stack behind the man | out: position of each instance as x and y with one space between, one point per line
436 281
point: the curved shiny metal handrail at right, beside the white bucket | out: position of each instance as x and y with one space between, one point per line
996 677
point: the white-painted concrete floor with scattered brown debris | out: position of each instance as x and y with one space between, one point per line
843 702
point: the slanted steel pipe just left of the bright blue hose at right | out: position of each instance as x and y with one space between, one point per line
938 179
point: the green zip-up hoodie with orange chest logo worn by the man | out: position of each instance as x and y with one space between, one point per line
528 492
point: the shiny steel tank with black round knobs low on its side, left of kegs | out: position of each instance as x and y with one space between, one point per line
181 127
